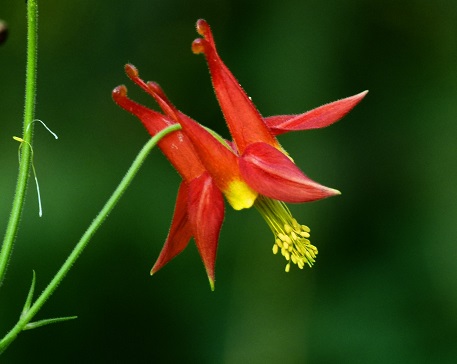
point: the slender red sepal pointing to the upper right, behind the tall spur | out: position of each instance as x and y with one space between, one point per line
320 117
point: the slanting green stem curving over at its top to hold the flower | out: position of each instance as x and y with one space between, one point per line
27 316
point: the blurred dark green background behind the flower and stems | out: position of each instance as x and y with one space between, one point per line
384 288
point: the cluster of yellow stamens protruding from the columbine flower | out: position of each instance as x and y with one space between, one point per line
291 238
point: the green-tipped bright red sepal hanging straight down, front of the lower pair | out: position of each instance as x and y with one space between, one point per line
206 214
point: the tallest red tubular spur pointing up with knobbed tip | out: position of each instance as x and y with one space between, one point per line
243 119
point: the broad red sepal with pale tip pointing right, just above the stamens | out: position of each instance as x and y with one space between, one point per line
274 175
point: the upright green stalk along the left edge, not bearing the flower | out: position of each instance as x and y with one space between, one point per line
29 110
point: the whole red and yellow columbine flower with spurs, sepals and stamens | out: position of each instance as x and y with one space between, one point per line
254 170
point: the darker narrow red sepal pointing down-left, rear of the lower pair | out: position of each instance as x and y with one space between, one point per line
180 231
